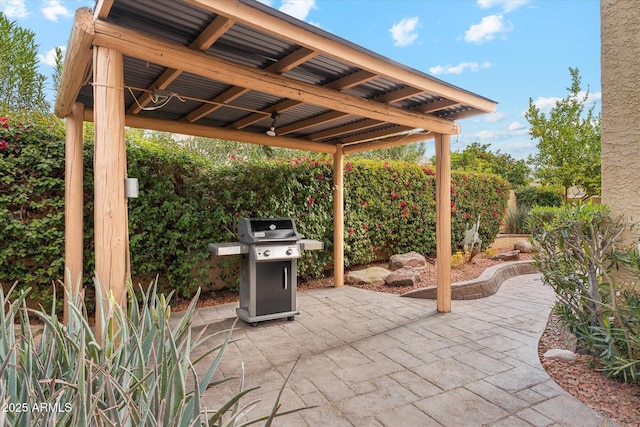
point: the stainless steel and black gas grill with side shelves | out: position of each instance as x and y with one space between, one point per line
269 249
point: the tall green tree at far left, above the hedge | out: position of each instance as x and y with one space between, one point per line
22 87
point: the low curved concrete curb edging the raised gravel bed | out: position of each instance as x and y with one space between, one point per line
483 286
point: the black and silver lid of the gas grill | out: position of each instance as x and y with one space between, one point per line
262 230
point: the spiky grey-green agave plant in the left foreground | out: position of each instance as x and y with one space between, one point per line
139 372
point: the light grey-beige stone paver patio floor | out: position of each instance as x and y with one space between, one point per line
371 359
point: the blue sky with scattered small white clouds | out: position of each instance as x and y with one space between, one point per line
506 50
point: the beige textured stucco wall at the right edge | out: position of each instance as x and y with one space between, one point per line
620 60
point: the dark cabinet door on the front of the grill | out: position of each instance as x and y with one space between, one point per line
274 287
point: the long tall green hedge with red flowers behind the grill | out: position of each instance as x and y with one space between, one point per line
185 202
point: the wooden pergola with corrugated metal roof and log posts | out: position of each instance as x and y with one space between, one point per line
227 69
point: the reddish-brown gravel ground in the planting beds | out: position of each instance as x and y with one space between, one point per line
581 378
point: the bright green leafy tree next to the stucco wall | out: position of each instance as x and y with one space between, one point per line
568 141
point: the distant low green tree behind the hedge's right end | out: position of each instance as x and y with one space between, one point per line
478 158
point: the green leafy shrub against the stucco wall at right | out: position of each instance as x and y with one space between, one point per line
575 251
